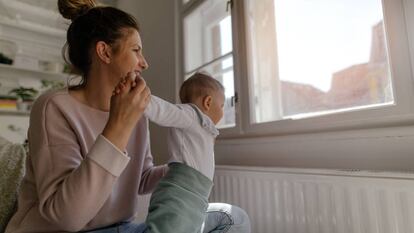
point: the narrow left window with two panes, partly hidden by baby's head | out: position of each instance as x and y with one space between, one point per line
208 47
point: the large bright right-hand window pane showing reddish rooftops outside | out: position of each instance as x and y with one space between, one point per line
330 56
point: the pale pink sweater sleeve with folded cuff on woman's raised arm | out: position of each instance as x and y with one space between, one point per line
71 187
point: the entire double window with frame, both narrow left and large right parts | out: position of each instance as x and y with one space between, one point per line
301 66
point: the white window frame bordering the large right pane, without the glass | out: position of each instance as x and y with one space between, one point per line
399 27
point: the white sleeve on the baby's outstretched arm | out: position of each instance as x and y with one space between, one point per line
166 114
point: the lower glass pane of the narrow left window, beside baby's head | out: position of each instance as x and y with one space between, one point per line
222 70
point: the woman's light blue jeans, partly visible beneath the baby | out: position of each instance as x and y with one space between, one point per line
220 218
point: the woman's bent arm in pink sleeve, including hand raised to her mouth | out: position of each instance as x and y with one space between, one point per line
72 187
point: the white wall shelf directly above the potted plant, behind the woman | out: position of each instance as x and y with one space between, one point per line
11 70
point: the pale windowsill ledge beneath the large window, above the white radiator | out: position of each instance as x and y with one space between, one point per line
380 148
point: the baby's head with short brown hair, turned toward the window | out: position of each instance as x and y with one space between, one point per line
205 92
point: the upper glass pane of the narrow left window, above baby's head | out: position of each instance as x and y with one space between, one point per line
207 34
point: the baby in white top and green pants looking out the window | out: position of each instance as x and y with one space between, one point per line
181 197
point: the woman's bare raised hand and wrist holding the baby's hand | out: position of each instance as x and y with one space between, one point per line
128 103
